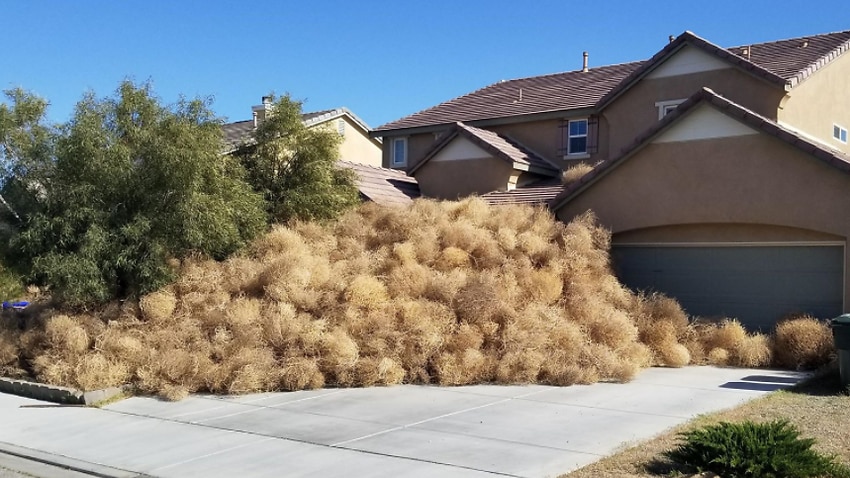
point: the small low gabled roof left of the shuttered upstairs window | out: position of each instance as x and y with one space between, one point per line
500 146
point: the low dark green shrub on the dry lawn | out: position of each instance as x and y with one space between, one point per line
767 450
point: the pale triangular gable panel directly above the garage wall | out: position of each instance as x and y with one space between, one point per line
704 123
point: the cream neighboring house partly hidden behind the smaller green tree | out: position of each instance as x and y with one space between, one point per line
358 152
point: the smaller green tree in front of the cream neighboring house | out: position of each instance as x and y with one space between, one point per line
295 167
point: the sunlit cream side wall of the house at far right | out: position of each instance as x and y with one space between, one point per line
820 101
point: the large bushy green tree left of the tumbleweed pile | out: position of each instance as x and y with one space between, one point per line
108 198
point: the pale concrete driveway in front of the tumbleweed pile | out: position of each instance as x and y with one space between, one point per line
484 430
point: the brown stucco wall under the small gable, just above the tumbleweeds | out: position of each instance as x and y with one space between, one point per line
451 179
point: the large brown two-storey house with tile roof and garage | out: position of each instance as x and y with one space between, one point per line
724 173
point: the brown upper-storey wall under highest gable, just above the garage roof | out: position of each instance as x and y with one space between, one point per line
635 112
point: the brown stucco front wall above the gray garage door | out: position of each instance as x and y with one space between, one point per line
749 181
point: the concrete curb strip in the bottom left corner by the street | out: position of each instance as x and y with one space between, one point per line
48 464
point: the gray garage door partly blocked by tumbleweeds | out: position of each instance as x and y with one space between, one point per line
756 284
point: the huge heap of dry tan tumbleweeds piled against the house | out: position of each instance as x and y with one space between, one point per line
449 293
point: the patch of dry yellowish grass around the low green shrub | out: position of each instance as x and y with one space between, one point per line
817 407
